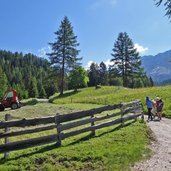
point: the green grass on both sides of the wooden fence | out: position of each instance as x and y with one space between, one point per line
113 148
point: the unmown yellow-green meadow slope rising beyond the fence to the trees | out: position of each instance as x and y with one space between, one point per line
113 95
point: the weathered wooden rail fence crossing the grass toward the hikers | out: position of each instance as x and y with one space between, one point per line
107 115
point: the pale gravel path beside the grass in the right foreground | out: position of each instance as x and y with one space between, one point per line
161 160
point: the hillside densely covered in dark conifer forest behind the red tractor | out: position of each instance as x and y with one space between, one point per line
27 73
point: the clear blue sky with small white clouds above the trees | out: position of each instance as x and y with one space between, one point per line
28 26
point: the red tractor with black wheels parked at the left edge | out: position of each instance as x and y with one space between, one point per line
10 100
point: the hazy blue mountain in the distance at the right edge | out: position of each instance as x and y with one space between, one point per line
158 67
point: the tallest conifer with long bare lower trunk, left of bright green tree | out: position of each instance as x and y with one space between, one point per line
64 50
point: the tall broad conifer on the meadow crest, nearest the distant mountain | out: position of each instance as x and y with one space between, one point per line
126 59
